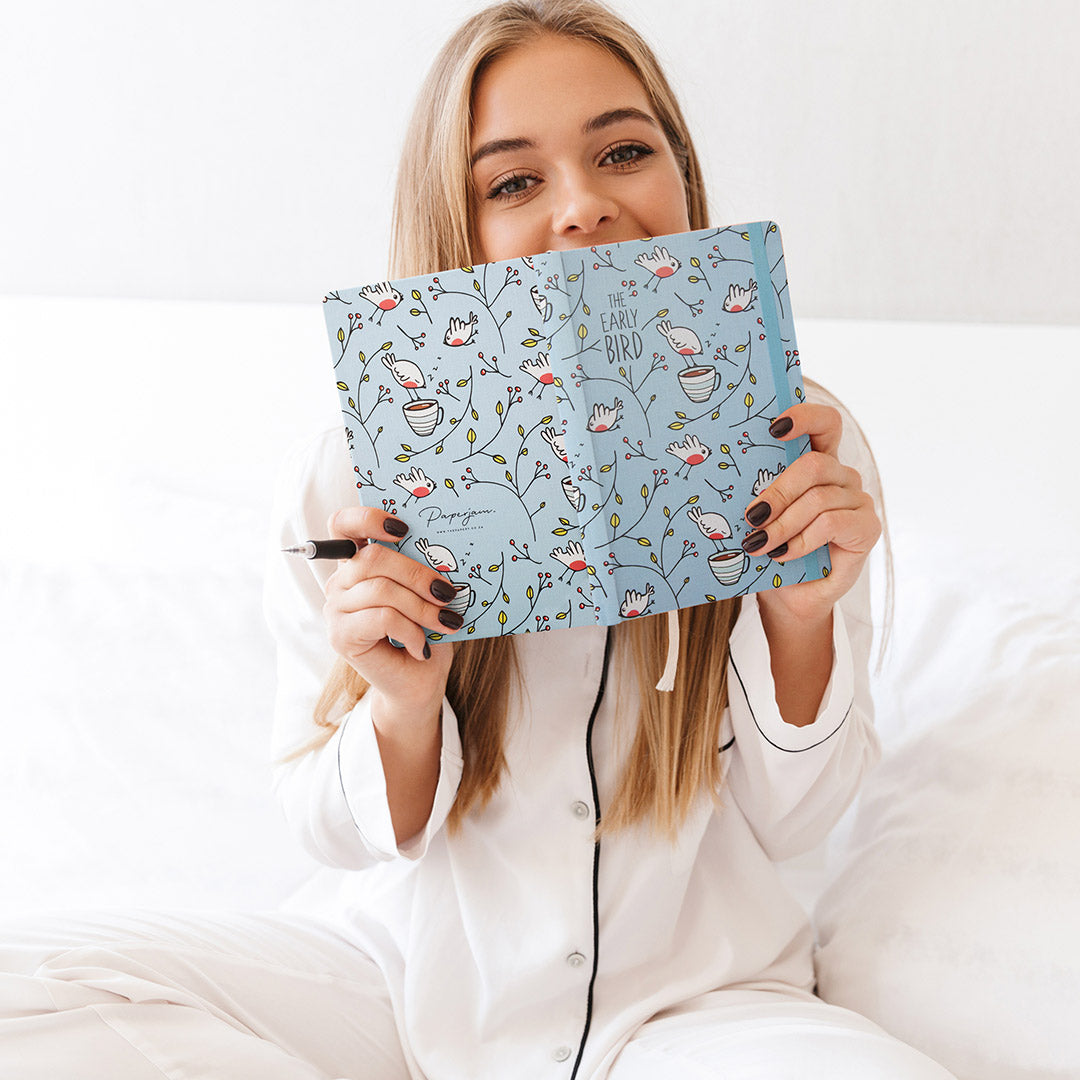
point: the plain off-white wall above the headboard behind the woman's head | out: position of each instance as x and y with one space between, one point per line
920 155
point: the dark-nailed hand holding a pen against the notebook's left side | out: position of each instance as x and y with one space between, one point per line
381 593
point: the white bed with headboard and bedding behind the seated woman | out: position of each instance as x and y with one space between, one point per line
139 443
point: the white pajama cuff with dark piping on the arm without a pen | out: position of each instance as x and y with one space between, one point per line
753 680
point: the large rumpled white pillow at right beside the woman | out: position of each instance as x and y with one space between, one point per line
956 923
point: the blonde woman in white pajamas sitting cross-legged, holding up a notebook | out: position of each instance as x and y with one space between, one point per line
566 872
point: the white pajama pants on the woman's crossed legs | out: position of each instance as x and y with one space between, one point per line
193 996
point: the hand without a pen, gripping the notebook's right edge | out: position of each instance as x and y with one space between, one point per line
815 502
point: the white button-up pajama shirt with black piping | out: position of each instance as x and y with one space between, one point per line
521 940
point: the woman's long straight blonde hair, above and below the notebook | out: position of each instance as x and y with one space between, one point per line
674 757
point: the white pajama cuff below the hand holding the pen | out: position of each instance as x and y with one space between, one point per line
364 784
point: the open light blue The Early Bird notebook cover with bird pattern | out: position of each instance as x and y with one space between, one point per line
573 438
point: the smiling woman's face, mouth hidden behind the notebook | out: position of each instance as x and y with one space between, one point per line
568 153
